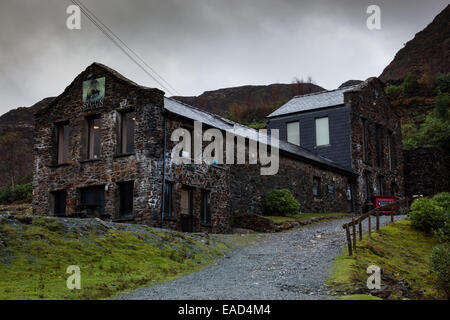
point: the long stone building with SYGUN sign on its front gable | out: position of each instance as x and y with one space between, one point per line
103 149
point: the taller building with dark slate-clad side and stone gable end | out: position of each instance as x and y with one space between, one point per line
357 128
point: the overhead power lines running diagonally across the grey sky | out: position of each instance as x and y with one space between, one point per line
99 25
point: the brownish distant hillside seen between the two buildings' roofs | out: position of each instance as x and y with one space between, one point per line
248 104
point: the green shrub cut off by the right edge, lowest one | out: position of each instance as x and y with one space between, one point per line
440 267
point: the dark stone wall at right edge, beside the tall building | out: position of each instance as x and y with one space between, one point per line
426 171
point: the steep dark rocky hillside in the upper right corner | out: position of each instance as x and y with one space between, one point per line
427 52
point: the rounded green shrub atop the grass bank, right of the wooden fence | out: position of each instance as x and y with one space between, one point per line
426 215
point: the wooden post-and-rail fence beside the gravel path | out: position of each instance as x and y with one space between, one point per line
397 207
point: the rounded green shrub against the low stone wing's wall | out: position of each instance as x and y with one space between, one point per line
281 202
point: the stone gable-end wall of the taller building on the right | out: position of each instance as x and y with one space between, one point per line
370 102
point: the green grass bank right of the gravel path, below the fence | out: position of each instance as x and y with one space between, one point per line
399 250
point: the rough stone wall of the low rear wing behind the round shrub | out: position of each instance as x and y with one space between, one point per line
250 189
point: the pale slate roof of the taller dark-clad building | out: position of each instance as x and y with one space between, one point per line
317 100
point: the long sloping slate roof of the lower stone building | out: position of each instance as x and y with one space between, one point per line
184 110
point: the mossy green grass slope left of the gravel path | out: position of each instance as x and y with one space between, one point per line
34 258
